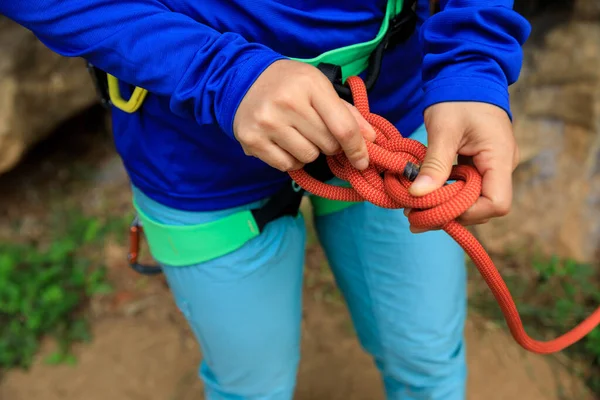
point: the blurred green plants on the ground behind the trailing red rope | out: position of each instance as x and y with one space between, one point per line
557 296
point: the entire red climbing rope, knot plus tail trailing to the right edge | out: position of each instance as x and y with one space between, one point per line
392 155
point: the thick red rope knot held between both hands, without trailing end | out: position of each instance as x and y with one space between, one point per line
385 184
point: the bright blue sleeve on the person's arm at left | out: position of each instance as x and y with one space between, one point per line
204 73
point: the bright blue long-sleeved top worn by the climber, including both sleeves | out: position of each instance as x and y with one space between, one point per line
199 57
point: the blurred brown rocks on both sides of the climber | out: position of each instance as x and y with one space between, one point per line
556 103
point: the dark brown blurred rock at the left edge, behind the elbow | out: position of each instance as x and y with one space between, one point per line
39 90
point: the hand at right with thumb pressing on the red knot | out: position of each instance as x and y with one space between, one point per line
479 131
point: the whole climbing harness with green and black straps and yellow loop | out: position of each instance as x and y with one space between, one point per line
179 246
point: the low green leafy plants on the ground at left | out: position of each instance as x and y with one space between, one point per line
44 289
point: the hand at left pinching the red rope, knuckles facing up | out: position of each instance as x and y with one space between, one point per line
292 113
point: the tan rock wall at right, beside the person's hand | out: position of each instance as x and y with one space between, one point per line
556 204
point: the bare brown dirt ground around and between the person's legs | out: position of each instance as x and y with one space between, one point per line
145 351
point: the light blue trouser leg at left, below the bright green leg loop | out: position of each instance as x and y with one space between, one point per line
245 310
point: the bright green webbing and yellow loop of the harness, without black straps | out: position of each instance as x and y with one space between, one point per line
186 245
